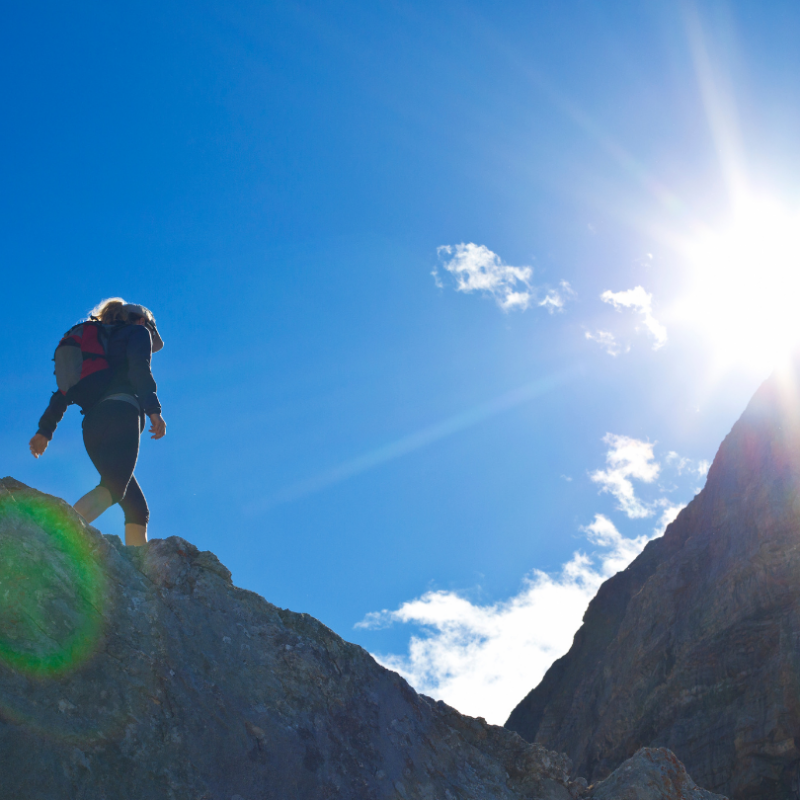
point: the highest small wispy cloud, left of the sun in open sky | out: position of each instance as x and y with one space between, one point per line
477 269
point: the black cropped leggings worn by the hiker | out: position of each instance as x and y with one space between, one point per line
111 431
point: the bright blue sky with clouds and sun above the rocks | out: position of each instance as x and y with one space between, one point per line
348 430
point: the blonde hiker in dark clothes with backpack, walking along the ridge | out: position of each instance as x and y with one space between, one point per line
115 390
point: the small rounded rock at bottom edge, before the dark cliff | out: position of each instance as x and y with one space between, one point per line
652 774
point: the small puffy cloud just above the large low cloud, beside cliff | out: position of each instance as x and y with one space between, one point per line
627 458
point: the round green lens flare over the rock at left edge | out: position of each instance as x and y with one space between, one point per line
52 588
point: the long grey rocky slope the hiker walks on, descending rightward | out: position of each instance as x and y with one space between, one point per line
144 673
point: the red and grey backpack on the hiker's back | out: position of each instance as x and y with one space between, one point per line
82 351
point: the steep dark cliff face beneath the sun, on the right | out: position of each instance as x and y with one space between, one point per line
696 645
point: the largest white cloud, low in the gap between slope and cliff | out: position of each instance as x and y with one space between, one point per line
483 659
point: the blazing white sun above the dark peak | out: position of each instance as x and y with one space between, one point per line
744 293
